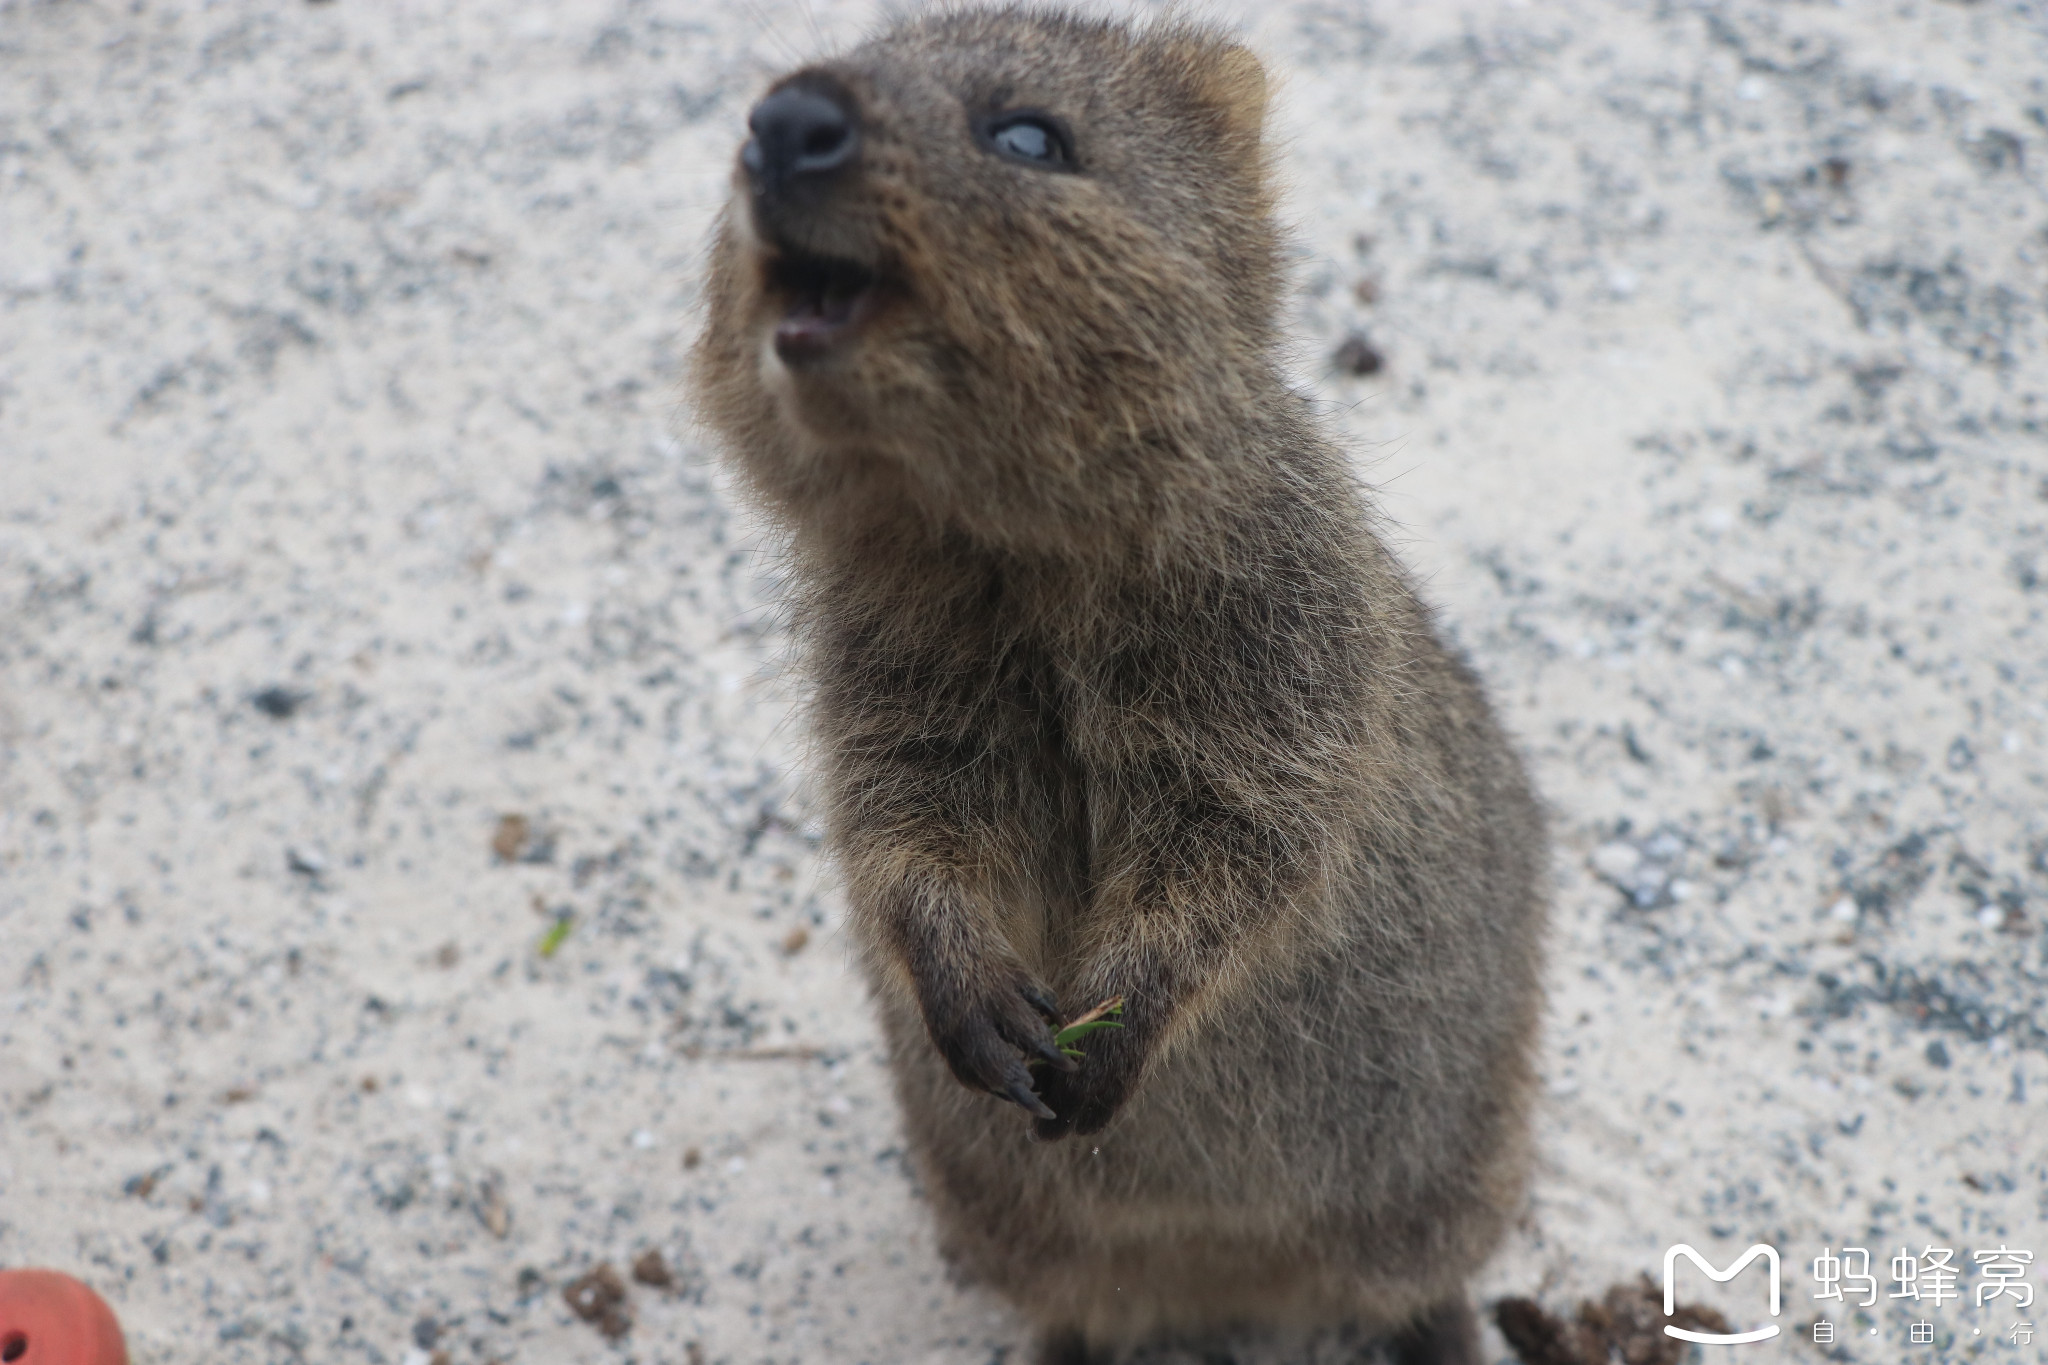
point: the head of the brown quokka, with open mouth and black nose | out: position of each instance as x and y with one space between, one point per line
1005 269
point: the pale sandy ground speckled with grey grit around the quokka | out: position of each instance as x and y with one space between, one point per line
347 511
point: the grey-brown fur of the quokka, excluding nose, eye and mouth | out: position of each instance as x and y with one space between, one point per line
1119 695
